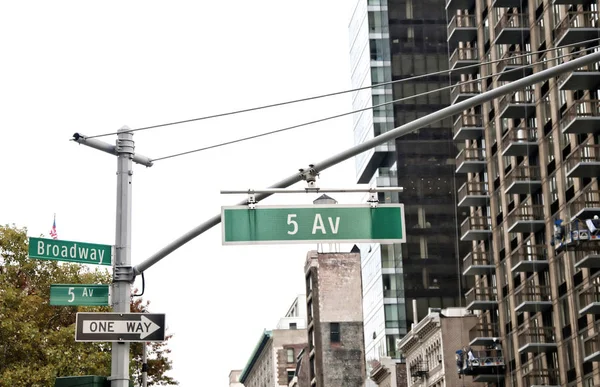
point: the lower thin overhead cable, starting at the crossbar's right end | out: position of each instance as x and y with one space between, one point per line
355 111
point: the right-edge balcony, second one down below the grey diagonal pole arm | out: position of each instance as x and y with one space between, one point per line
581 117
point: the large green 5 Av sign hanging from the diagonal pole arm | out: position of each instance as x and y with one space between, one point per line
313 224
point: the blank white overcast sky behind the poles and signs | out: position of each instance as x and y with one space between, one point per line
92 67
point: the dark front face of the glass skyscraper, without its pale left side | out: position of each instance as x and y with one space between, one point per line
426 158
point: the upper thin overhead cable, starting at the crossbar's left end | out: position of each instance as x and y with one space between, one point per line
443 72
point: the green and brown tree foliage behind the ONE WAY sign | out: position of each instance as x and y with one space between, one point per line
37 341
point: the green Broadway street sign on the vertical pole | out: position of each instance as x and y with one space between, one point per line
79 252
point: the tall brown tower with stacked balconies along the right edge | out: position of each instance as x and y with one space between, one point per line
532 162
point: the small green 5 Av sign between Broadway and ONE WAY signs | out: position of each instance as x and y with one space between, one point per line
79 295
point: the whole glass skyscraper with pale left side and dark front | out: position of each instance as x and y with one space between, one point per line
394 40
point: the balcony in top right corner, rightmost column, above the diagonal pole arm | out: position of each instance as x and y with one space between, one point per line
576 27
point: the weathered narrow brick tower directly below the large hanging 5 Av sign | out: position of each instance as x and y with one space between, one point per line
335 320
